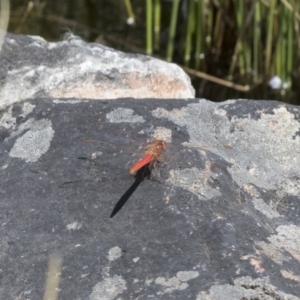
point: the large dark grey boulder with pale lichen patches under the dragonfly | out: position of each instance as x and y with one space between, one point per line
218 219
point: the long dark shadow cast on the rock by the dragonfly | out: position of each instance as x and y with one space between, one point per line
141 174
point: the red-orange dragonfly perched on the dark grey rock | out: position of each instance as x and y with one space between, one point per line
152 153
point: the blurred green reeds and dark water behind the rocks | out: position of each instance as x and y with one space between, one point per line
230 48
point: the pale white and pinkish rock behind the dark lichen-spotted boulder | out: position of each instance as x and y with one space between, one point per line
32 67
